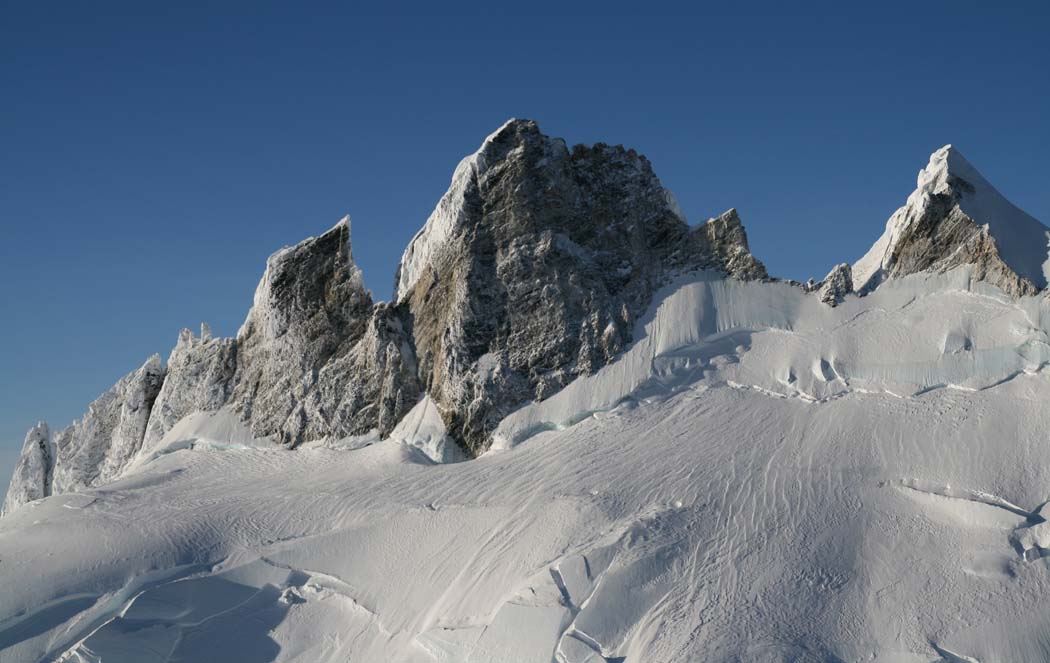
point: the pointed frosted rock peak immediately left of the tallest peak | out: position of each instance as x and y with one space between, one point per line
316 355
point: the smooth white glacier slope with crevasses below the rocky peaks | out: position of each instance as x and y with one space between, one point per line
761 478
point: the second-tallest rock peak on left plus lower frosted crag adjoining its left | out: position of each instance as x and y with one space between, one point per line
316 358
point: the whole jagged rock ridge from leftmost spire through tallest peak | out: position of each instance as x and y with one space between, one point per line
532 272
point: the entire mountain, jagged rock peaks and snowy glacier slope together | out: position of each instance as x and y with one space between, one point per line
674 458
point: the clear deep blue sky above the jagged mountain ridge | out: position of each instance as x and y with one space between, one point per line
153 156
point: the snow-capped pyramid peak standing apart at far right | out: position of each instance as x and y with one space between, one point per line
955 217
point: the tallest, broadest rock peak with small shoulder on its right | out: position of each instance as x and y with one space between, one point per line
535 266
